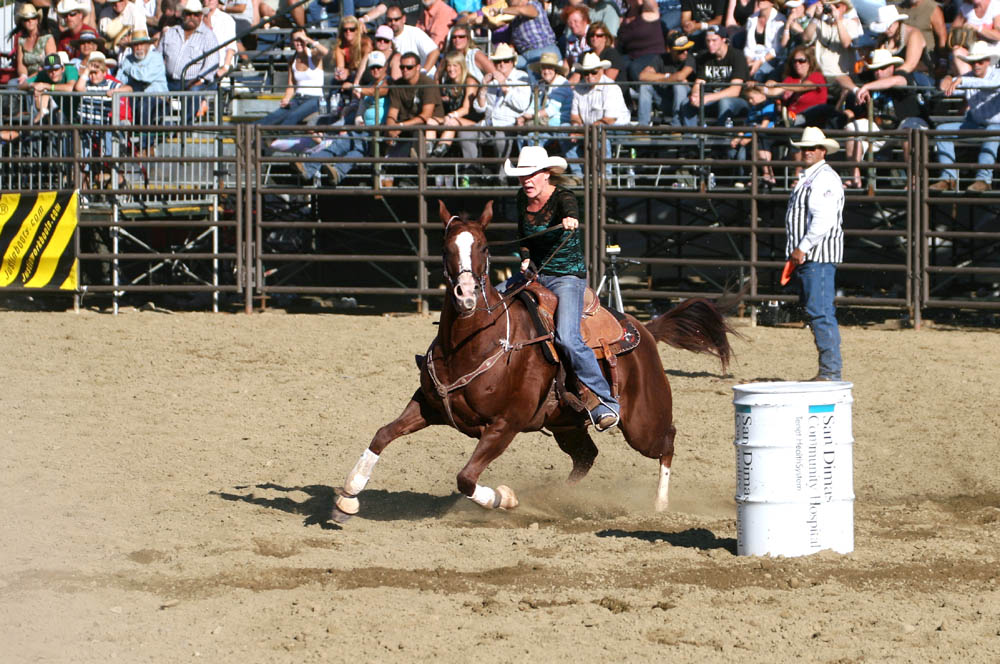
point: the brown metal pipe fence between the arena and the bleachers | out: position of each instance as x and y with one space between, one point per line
262 212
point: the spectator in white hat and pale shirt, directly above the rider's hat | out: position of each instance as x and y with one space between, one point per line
503 97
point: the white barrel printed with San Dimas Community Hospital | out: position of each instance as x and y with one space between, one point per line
794 468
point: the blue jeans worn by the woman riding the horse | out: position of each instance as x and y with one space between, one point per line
569 290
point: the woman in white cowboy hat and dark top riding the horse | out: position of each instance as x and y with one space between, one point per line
541 205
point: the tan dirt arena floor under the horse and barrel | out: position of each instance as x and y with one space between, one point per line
166 480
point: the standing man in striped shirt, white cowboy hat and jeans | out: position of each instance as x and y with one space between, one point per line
815 244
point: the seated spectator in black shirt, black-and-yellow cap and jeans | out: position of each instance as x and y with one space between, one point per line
666 82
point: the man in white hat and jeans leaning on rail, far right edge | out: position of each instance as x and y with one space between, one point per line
982 93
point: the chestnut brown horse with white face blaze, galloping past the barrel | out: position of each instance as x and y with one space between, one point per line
485 374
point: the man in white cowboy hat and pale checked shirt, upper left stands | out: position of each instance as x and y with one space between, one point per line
182 44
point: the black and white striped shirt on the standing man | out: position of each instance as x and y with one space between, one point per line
814 219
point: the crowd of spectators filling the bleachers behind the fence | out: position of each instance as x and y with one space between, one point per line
453 64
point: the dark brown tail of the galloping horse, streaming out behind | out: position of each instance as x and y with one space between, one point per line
697 325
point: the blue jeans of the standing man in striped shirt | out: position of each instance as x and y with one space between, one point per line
818 291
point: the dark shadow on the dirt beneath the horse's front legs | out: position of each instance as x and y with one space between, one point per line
379 505
